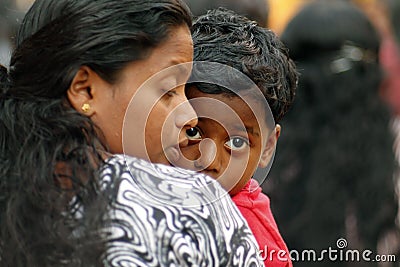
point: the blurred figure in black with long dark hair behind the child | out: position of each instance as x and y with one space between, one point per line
333 174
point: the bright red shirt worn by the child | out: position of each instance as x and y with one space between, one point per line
255 208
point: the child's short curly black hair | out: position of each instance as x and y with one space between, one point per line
228 38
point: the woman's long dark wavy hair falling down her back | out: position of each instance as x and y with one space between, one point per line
51 207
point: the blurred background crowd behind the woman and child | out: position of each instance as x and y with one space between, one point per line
335 173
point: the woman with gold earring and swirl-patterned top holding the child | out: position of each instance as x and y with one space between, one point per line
65 199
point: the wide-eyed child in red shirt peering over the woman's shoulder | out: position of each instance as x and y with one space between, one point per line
238 147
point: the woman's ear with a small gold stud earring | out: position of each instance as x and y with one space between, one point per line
80 92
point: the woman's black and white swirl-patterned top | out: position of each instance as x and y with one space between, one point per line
165 216
